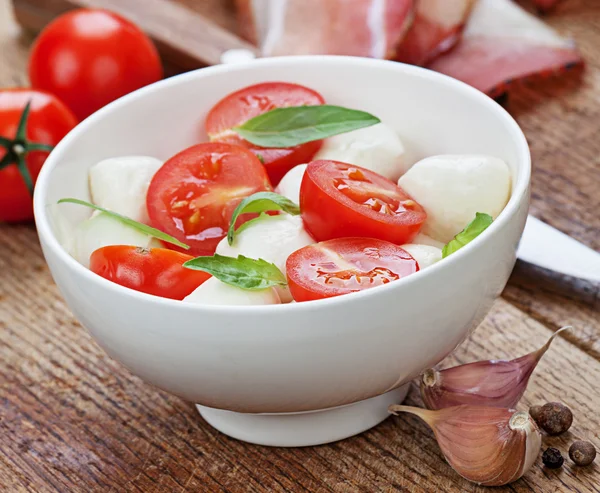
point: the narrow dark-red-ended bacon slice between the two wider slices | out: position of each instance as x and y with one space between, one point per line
437 27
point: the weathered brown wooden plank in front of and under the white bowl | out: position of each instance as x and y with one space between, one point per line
75 417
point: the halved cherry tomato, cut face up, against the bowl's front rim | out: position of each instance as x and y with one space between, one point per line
342 266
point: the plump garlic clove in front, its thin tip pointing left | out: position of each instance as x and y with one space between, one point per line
486 445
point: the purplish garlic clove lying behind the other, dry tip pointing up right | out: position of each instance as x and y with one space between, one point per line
494 383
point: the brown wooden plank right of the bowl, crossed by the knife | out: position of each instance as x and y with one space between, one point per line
561 119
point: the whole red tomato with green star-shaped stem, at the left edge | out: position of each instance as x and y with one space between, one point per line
31 123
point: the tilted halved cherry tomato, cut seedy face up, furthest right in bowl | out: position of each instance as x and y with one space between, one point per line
339 200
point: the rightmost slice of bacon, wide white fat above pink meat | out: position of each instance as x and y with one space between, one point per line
502 43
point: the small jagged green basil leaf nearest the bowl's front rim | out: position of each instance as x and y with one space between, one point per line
241 272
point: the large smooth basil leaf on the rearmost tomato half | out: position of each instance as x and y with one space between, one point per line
295 125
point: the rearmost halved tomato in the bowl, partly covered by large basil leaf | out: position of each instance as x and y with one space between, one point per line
252 101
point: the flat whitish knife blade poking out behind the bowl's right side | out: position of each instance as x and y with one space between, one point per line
552 249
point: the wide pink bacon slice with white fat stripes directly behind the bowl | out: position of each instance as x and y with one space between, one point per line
370 28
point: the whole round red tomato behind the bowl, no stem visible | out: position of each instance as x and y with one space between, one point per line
90 57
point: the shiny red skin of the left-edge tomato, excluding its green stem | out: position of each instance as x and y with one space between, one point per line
49 121
